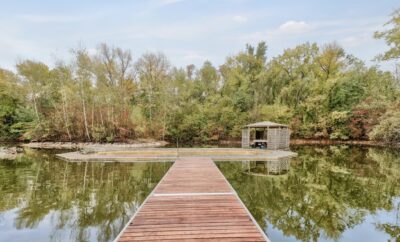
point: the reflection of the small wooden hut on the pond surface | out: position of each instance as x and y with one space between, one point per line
268 167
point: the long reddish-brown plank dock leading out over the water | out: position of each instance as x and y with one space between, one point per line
193 202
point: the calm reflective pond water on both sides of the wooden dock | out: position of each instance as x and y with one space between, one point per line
330 193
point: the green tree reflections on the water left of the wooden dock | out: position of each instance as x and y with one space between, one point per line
80 197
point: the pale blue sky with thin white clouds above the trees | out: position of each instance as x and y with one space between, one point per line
188 31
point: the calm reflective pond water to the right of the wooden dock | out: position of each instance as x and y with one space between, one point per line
330 193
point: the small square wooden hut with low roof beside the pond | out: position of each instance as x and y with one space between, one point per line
267 134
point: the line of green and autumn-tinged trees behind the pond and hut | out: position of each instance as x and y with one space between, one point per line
319 90
